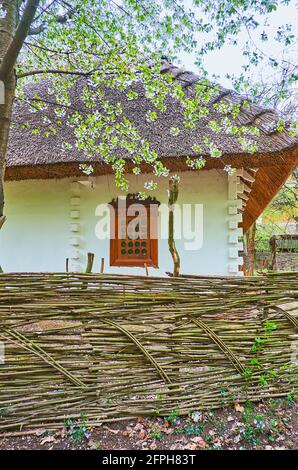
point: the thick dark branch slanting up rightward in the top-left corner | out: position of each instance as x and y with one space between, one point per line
16 44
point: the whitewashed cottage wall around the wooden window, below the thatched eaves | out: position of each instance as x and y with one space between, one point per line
51 220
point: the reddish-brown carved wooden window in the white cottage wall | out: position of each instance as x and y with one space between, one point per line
134 232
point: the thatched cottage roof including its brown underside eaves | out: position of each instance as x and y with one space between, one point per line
34 156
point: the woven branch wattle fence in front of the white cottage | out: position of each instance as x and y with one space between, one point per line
114 347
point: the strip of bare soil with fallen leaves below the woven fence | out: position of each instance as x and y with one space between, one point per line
269 425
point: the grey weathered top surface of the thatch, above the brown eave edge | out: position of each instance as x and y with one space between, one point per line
27 149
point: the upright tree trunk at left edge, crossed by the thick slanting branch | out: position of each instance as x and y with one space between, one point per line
7 30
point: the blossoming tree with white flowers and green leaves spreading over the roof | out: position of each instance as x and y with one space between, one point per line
117 44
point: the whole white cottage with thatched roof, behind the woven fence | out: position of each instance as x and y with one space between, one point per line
56 214
